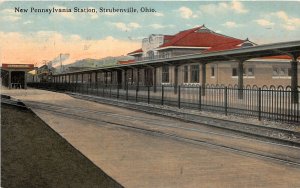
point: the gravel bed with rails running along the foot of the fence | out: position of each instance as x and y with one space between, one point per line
285 132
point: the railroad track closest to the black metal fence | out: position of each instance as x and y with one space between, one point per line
264 133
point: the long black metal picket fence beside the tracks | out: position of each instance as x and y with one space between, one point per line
264 103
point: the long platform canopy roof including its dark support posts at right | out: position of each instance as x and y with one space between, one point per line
292 49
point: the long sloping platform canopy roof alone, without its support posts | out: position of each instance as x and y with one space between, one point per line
291 49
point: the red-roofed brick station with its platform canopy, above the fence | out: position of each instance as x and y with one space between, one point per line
199 57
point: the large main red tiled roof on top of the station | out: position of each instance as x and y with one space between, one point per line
192 38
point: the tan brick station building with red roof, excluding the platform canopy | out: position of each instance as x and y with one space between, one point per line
268 71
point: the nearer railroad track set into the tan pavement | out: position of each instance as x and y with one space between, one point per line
96 116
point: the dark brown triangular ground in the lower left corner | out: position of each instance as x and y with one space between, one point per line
33 155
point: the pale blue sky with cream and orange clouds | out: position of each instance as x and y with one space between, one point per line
36 37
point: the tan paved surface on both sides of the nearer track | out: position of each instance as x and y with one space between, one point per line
136 159
